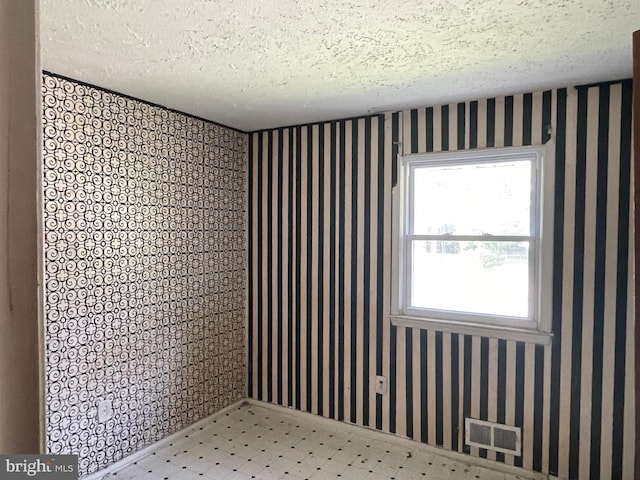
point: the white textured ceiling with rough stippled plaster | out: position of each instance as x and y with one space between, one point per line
253 64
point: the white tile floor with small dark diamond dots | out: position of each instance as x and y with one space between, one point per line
256 442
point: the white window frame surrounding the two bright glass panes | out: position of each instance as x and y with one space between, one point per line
536 327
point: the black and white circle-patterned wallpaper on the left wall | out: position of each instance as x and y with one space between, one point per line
145 259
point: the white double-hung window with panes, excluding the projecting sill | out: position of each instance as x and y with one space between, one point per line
471 247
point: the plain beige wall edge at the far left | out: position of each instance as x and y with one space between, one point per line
20 326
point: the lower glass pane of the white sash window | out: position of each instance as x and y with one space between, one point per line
473 277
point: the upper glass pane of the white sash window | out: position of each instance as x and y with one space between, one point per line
482 198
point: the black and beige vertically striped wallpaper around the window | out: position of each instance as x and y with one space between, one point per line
320 282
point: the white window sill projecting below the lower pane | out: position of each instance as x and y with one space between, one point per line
465 328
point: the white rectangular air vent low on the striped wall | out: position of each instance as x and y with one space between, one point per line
493 436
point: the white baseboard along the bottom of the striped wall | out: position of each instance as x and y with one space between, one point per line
409 443
